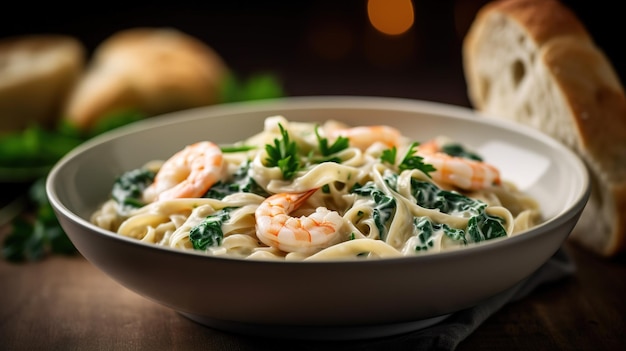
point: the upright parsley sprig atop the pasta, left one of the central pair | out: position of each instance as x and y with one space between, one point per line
283 154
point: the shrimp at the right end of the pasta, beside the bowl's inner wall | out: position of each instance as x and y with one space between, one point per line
458 171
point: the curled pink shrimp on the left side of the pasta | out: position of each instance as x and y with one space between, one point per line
188 173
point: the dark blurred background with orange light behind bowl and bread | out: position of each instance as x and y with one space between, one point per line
399 48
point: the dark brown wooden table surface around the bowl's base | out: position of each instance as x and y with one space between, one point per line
65 303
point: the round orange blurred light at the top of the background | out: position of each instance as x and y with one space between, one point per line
392 17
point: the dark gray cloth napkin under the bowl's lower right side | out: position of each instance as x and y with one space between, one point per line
447 334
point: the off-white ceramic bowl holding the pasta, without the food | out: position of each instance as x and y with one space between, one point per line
320 299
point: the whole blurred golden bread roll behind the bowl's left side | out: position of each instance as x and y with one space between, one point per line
150 70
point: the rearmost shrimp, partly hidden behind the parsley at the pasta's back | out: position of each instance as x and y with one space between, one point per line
364 136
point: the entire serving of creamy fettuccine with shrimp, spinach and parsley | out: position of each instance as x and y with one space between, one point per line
308 191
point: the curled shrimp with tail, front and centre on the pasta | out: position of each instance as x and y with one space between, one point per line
306 234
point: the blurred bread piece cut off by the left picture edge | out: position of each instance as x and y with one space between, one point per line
36 73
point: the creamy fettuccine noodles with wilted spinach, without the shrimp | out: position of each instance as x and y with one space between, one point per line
385 211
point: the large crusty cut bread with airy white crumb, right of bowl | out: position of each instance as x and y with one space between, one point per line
533 61
